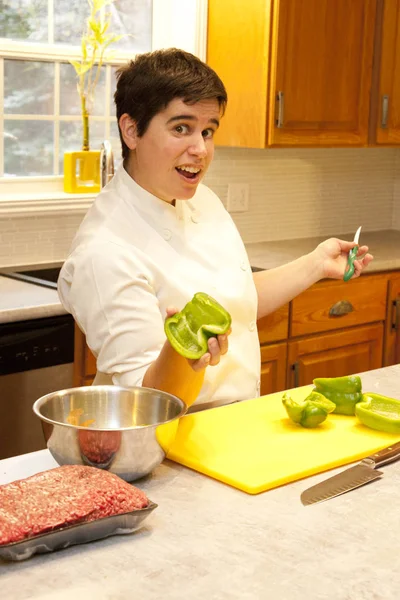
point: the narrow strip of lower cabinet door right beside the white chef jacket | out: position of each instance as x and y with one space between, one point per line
273 368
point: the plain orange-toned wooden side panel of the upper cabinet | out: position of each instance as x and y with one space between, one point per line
238 50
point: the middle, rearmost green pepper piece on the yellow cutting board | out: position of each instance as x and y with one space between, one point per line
345 392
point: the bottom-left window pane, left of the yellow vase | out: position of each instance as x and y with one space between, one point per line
28 148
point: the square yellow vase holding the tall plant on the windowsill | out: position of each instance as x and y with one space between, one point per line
82 172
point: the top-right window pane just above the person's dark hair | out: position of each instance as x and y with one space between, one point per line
133 17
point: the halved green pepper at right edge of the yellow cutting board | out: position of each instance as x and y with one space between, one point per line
379 412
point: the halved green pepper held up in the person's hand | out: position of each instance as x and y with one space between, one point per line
189 330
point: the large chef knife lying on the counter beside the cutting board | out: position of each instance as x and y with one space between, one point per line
351 478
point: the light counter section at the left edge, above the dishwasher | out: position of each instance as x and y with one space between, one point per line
21 301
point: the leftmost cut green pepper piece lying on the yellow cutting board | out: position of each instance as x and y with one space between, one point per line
309 412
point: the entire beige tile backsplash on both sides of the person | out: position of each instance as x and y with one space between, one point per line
293 194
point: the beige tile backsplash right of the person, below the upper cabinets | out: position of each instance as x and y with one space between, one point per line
309 192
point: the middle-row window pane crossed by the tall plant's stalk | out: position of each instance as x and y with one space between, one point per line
69 97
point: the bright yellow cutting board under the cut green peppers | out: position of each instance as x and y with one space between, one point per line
253 446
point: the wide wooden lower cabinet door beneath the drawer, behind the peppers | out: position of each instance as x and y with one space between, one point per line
335 355
